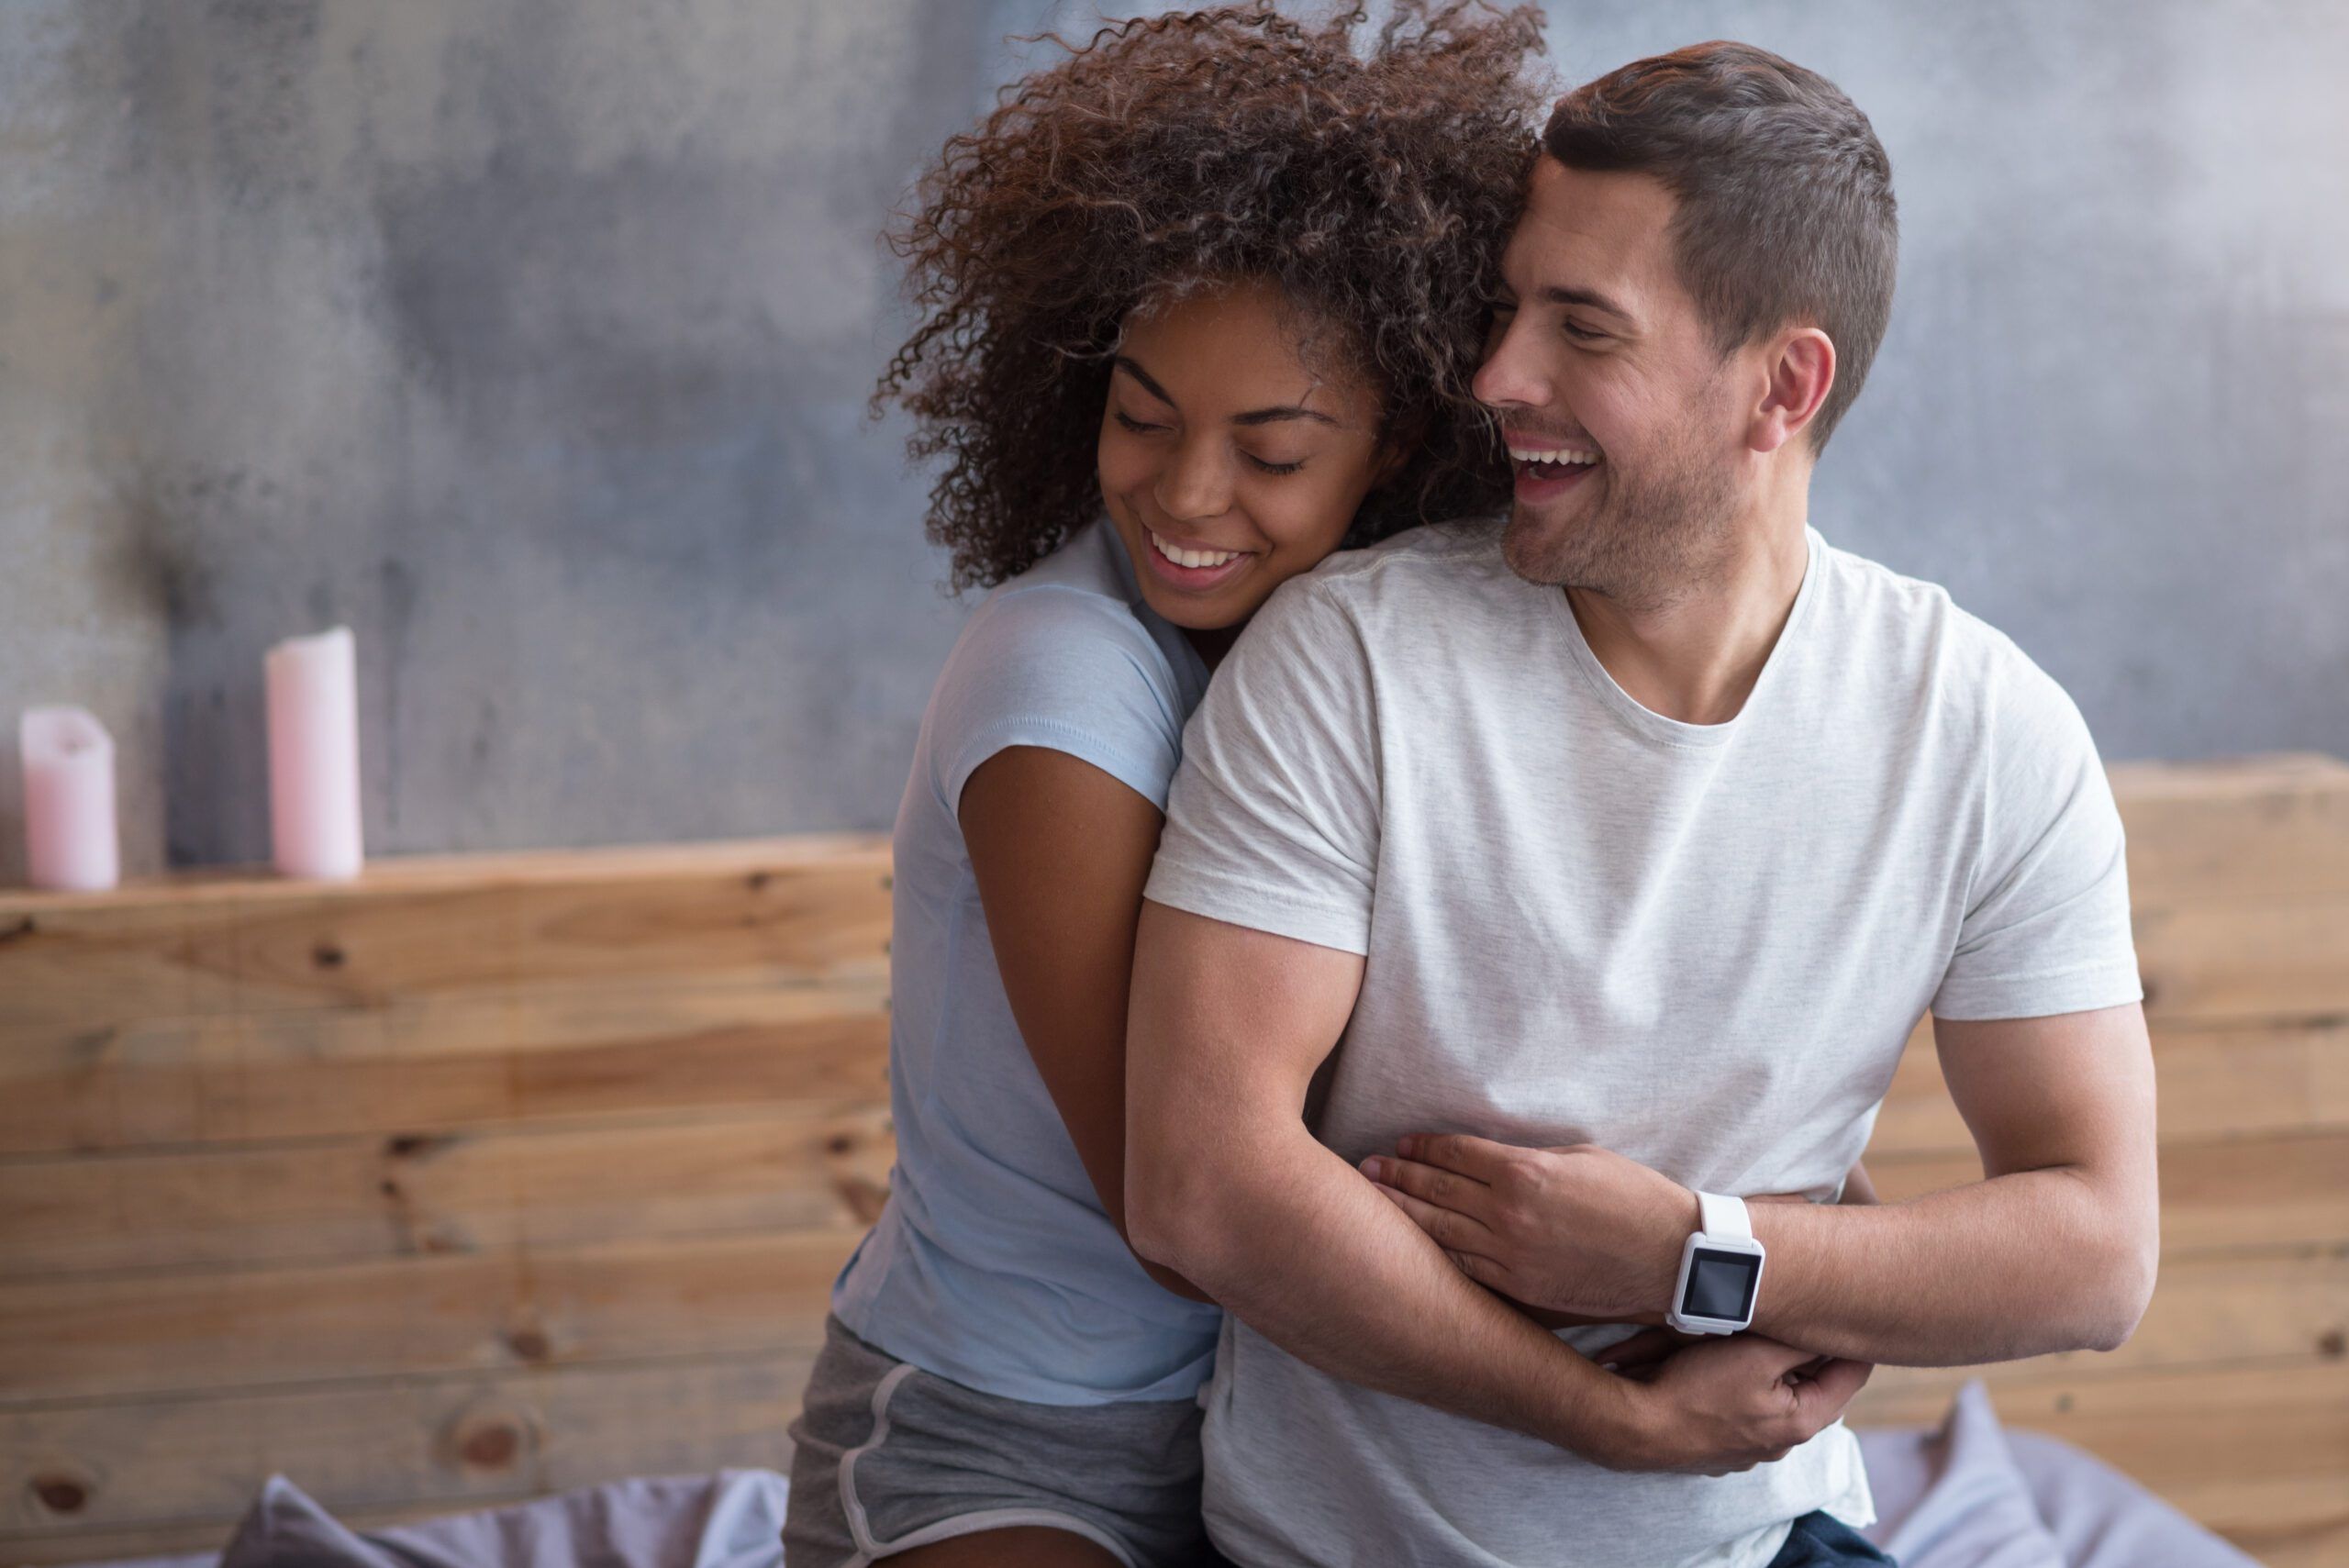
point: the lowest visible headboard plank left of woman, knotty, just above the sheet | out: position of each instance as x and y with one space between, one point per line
452 1442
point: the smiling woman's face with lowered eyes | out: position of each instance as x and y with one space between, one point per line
1227 464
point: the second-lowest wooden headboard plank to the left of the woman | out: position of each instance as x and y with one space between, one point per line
544 1306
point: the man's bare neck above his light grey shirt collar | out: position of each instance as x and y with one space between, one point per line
1700 656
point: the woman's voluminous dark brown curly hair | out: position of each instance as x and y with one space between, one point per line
1373 189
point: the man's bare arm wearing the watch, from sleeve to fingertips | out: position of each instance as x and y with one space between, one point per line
2054 1250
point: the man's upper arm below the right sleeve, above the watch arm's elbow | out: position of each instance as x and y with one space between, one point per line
2064 1090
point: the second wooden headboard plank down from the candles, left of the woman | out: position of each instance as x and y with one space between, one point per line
445 1065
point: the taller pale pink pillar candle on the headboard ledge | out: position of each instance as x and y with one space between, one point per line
314 701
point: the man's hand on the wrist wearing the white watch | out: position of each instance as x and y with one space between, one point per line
1577 1231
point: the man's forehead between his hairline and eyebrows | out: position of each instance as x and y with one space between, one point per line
1591 231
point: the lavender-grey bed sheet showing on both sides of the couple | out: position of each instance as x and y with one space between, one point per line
1963 1494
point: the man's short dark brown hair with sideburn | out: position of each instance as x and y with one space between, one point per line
1784 194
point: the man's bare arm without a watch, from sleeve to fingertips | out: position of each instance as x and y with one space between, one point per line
1227 1187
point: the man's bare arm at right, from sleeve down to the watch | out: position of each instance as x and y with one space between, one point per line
2054 1250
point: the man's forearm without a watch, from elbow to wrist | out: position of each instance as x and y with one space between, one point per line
1307 1255
